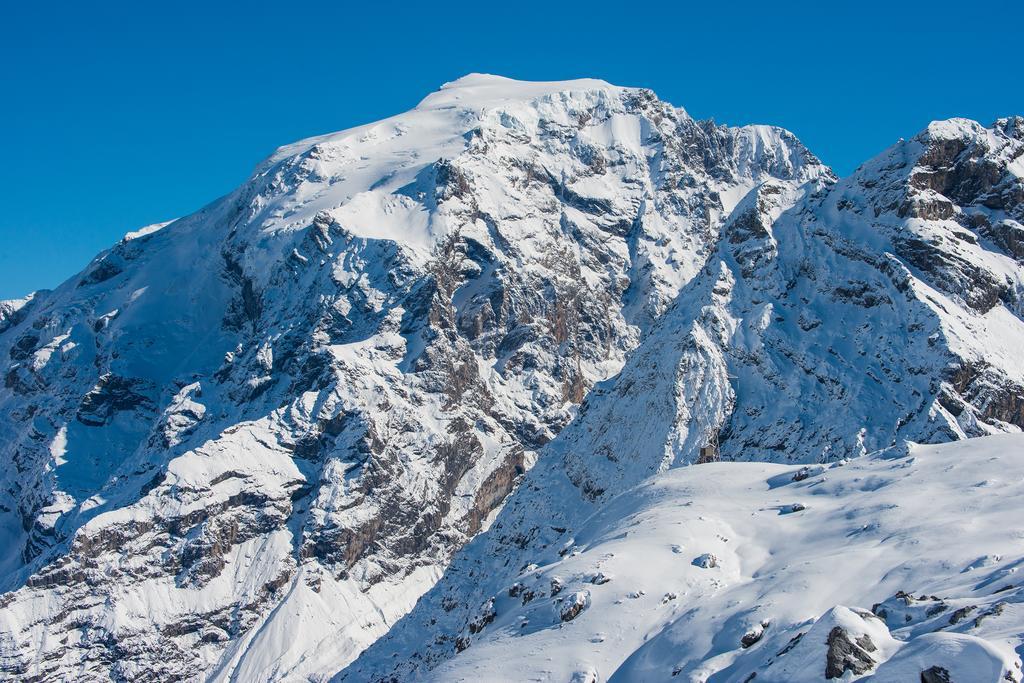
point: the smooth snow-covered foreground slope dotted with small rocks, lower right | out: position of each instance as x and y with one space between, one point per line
882 568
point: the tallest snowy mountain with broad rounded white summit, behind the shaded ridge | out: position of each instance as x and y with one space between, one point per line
242 445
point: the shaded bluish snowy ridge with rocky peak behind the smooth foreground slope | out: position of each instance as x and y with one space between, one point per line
833 321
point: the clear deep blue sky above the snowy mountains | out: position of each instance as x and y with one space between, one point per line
115 115
